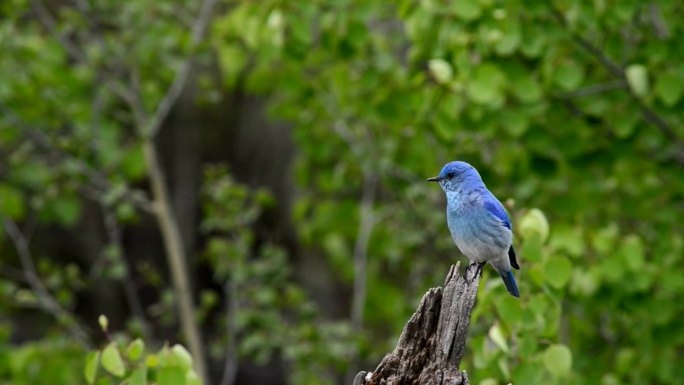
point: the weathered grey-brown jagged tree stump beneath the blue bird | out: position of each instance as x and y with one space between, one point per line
432 343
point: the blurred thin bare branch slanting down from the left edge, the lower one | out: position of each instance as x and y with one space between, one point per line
46 300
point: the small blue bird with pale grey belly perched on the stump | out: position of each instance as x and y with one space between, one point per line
478 222
